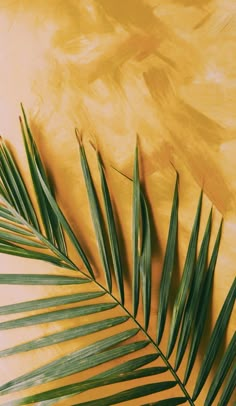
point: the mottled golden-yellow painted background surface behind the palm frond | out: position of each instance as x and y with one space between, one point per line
164 69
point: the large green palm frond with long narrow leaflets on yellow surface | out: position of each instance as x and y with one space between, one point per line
117 341
